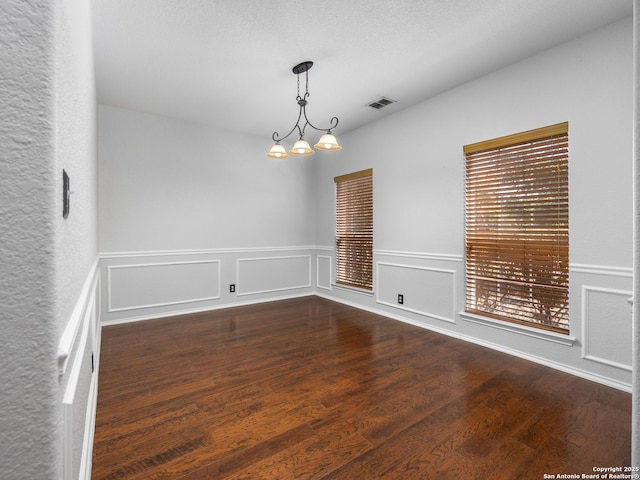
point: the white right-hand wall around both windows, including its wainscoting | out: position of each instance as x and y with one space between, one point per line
419 199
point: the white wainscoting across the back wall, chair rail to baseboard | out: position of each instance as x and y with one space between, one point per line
266 272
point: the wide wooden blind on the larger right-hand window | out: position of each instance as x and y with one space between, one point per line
517 228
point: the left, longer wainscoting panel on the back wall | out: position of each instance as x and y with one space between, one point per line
149 285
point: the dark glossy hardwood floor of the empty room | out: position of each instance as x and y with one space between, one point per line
312 389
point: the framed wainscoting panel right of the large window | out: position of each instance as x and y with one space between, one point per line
607 325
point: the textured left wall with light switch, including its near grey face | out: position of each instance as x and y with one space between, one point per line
47 123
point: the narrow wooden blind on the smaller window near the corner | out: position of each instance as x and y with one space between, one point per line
354 229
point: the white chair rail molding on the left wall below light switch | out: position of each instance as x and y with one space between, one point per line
88 297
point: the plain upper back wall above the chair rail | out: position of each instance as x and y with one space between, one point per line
172 185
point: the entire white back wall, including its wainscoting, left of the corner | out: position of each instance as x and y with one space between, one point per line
187 210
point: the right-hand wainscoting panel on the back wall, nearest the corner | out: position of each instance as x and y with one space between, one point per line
273 274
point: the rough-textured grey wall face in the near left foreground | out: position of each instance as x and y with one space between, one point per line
30 417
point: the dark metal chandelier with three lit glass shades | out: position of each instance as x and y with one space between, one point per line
301 148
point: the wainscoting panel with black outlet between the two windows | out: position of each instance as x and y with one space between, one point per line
426 291
